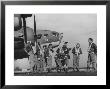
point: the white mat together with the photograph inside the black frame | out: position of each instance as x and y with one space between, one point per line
55 44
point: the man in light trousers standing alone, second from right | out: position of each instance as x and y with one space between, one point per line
76 56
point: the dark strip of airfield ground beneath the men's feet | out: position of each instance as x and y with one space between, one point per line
70 73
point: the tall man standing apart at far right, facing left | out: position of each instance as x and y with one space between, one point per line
92 53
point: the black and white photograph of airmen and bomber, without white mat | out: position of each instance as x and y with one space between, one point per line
55 44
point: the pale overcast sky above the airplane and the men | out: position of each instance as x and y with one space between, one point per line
76 26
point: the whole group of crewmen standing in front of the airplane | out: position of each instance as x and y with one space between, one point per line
42 59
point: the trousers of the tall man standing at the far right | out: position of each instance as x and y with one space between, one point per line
92 61
